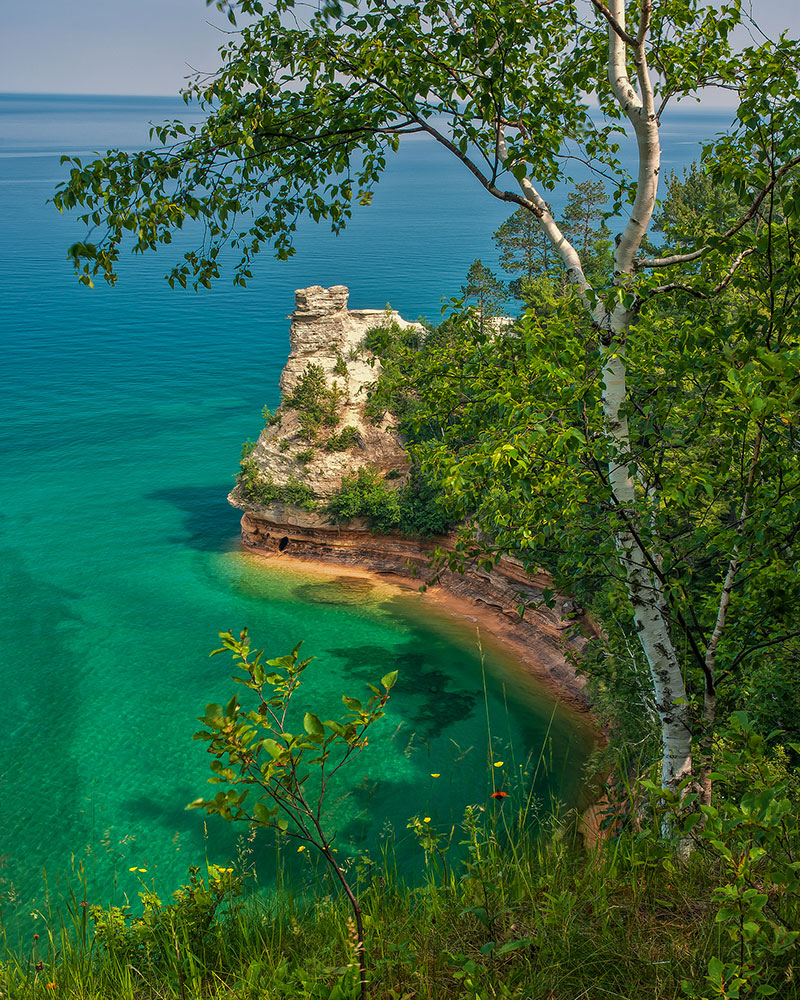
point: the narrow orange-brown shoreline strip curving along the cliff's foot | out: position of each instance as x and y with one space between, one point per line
529 648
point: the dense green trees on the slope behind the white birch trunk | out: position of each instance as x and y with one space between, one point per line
513 431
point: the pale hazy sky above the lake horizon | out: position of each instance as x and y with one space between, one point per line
150 46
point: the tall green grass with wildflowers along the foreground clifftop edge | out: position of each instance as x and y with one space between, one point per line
530 914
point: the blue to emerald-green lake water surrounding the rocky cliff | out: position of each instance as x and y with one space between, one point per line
123 414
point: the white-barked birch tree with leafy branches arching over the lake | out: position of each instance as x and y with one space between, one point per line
301 118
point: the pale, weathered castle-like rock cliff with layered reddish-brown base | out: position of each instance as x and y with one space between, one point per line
323 332
